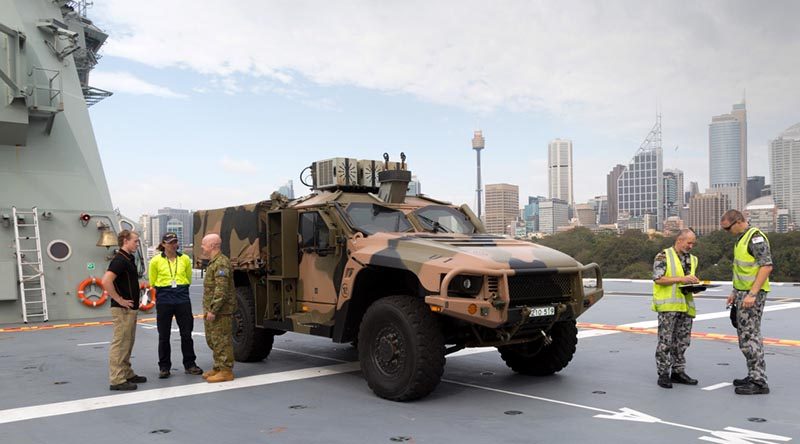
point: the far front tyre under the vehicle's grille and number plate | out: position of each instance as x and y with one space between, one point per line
537 359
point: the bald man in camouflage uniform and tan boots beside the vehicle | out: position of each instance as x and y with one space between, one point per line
219 303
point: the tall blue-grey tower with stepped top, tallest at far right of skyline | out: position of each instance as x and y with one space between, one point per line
727 154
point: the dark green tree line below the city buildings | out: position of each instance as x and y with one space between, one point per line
630 255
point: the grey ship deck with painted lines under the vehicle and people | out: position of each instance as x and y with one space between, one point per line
480 400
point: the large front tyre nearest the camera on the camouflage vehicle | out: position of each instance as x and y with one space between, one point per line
401 348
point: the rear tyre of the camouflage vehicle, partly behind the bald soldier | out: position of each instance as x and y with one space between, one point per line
250 344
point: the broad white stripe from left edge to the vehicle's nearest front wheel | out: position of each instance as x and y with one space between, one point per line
139 397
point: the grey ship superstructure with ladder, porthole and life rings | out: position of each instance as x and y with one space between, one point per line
57 223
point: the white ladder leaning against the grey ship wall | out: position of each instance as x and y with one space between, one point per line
29 260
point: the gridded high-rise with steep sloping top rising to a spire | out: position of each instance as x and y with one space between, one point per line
640 188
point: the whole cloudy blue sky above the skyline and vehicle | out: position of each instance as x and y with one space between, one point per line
220 103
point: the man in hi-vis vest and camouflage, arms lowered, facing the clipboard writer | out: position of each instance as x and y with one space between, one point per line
752 265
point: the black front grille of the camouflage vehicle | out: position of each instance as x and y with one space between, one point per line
532 289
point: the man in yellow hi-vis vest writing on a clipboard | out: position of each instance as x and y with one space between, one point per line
674 267
